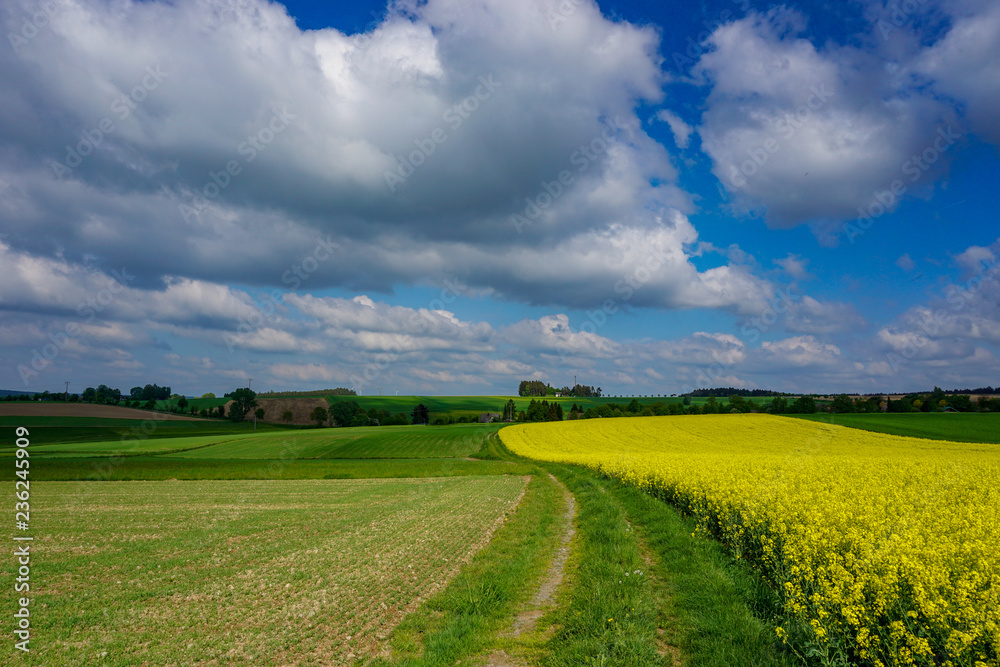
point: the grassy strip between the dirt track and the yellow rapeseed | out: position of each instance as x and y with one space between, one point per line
644 591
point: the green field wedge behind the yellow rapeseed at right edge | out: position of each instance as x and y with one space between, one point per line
958 427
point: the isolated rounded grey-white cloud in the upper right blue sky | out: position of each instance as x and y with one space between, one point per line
809 134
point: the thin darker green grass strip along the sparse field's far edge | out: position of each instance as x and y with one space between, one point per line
157 468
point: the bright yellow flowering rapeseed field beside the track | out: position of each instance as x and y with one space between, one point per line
882 548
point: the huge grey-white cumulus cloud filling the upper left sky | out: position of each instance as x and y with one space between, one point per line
236 147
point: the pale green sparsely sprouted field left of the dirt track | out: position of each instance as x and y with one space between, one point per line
244 572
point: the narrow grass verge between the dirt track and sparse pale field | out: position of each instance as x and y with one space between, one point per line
462 620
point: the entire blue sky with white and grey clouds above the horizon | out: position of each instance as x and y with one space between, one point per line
448 197
